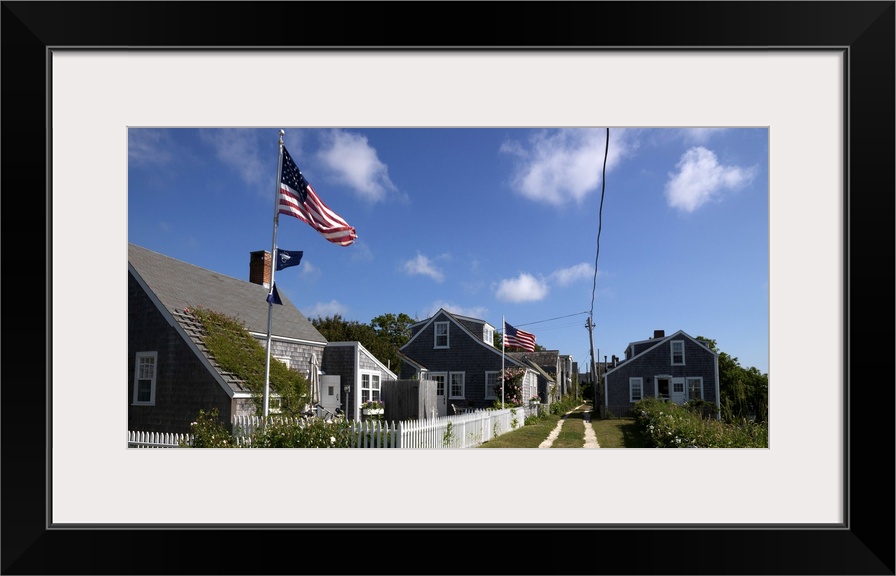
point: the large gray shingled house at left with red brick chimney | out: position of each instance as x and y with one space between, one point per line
171 376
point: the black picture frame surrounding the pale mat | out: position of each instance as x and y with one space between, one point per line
863 30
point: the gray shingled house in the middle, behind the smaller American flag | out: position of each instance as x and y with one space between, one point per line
459 354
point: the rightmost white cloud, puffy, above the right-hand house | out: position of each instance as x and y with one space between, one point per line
701 179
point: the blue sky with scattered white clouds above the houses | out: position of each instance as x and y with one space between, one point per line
485 222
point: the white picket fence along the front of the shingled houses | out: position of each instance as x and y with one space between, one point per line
459 431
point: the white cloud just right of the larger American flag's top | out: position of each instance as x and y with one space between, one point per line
353 162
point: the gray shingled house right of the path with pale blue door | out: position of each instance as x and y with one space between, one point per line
676 368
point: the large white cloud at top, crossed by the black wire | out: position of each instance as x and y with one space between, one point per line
557 166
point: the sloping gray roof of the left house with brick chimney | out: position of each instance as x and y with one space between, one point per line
180 285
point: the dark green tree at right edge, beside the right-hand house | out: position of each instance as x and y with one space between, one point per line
743 392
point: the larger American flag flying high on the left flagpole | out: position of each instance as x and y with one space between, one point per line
297 198
